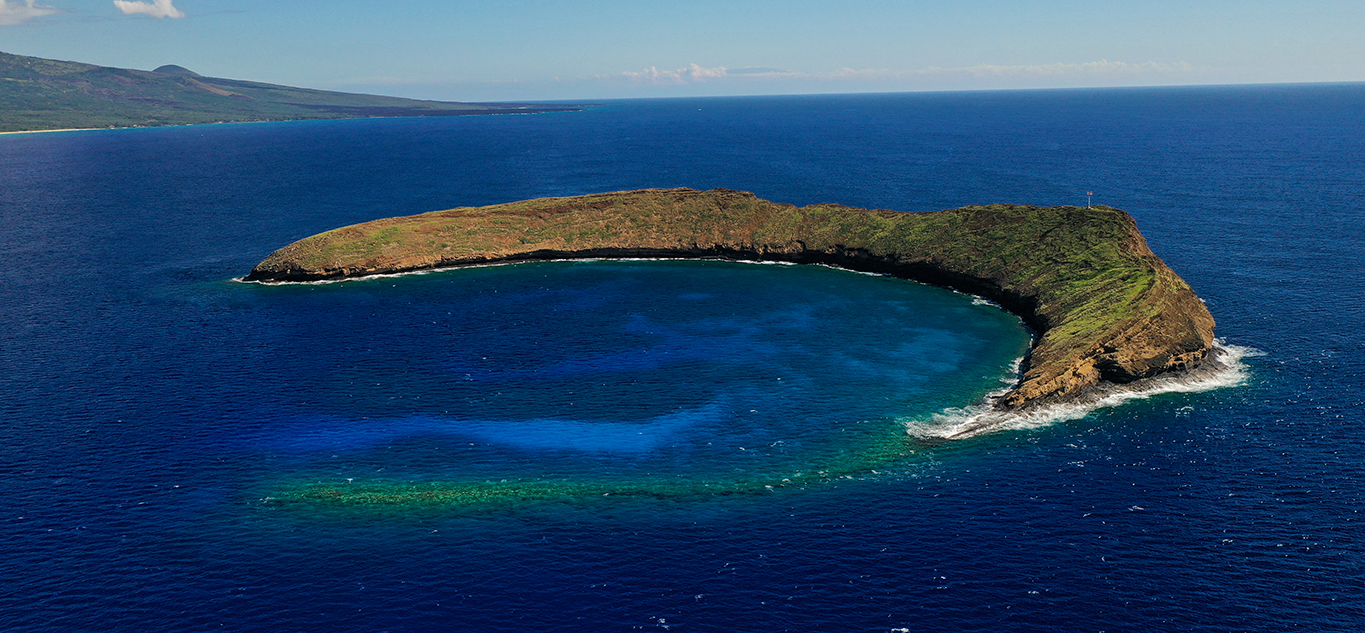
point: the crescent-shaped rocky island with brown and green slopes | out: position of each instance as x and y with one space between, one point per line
1105 308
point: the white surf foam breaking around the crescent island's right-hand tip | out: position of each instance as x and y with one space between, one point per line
1222 369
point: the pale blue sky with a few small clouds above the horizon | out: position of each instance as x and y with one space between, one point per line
554 50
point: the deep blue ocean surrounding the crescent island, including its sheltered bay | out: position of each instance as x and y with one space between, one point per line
154 410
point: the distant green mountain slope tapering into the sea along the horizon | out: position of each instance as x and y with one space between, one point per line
48 95
